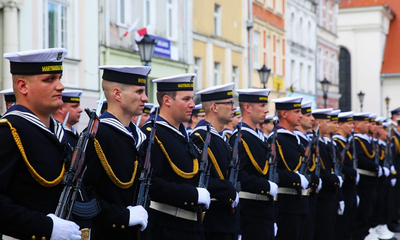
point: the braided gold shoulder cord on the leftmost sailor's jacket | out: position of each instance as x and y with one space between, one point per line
31 170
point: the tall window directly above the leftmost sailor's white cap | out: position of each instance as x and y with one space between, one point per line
55 24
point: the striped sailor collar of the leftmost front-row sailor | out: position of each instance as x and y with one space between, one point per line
55 129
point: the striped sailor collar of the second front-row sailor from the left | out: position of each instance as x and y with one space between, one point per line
136 134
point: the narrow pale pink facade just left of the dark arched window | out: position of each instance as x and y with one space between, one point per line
327 52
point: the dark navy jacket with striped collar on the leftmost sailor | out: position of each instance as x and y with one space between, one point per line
24 201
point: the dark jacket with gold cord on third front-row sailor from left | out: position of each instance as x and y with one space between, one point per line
175 175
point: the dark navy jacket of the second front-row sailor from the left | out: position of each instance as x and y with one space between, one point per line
110 174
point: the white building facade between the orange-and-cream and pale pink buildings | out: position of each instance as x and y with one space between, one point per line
301 45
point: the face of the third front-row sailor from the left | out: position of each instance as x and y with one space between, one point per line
181 107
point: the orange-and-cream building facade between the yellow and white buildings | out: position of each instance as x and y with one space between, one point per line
268 46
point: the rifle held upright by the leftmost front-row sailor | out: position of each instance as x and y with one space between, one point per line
73 178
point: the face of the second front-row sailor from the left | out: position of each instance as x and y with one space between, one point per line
133 98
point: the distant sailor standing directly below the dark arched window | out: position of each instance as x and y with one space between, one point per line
344 225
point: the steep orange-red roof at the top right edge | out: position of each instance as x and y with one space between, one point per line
391 57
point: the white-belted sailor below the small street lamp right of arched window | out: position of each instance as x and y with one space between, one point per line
369 172
